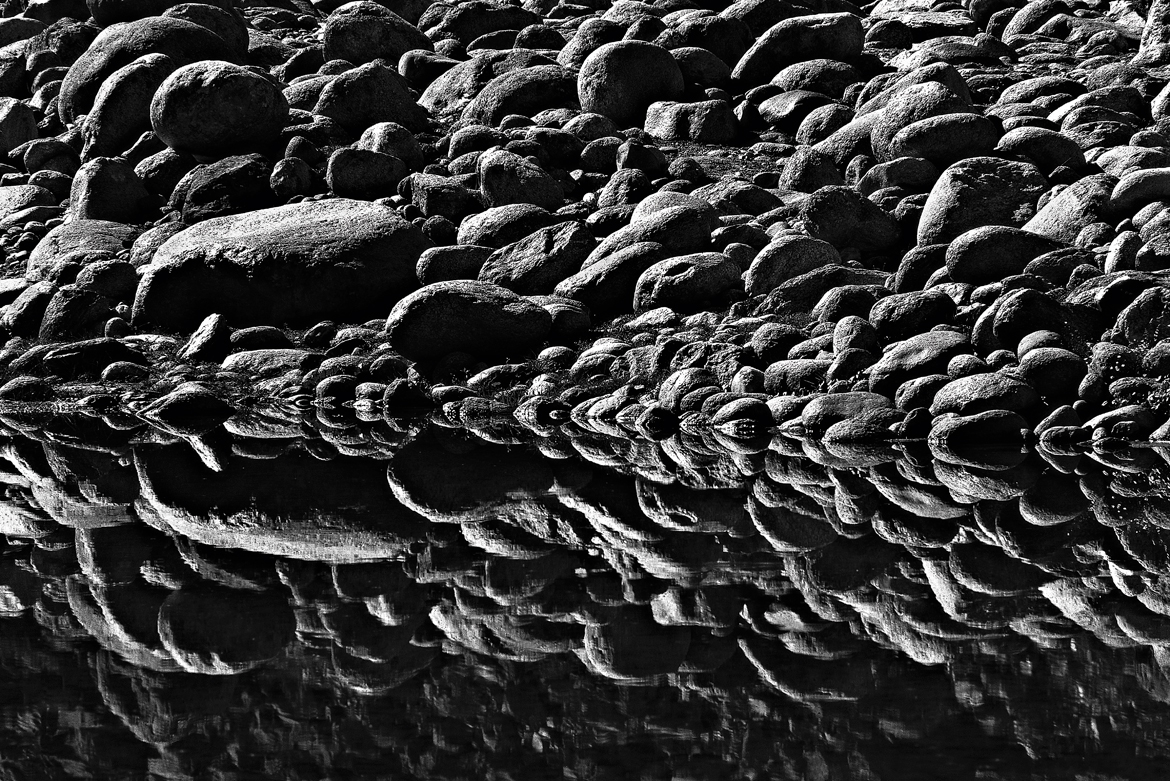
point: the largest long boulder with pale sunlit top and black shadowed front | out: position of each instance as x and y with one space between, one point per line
299 264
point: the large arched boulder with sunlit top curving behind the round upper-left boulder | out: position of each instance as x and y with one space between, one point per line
183 42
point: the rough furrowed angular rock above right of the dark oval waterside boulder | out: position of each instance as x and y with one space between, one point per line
538 264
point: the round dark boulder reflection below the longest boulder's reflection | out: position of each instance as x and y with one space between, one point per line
217 631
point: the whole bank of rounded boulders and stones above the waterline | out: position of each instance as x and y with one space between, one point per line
856 224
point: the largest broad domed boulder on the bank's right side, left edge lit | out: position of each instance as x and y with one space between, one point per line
983 191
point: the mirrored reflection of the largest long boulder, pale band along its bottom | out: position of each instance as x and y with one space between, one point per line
294 506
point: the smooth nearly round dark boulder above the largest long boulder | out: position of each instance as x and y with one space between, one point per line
212 109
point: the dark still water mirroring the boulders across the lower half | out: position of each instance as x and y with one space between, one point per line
338 599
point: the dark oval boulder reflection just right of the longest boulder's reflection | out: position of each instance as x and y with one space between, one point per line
458 482
